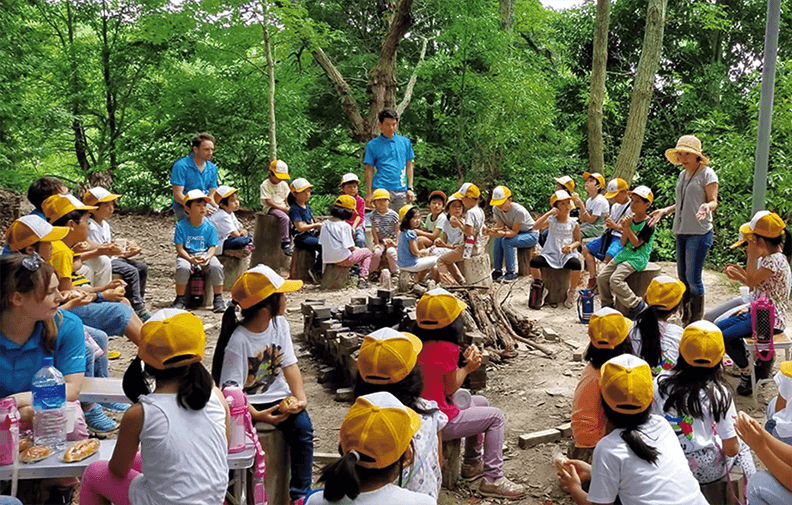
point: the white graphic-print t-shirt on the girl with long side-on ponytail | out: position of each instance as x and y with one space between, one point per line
255 361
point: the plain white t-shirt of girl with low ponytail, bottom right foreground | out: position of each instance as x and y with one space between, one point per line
617 471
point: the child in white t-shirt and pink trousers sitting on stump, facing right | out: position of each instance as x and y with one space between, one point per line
338 244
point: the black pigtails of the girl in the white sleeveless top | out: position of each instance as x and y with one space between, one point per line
195 383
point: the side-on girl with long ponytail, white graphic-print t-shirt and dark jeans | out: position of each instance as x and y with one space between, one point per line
256 354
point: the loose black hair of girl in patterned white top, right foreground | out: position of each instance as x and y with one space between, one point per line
685 386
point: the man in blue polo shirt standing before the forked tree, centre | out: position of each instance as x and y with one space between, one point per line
390 155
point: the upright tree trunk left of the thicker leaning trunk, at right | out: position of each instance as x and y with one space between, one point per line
597 95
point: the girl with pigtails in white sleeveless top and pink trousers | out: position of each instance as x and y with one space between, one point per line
181 427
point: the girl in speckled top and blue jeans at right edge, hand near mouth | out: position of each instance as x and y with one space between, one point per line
767 274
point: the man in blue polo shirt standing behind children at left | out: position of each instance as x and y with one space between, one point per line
194 171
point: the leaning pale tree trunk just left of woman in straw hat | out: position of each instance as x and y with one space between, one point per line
627 161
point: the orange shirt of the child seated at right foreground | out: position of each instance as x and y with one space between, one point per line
588 418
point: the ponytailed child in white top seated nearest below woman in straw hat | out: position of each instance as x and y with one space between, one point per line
653 338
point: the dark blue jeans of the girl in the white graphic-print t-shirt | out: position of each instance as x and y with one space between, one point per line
297 429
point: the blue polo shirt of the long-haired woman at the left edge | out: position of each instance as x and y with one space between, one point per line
18 364
